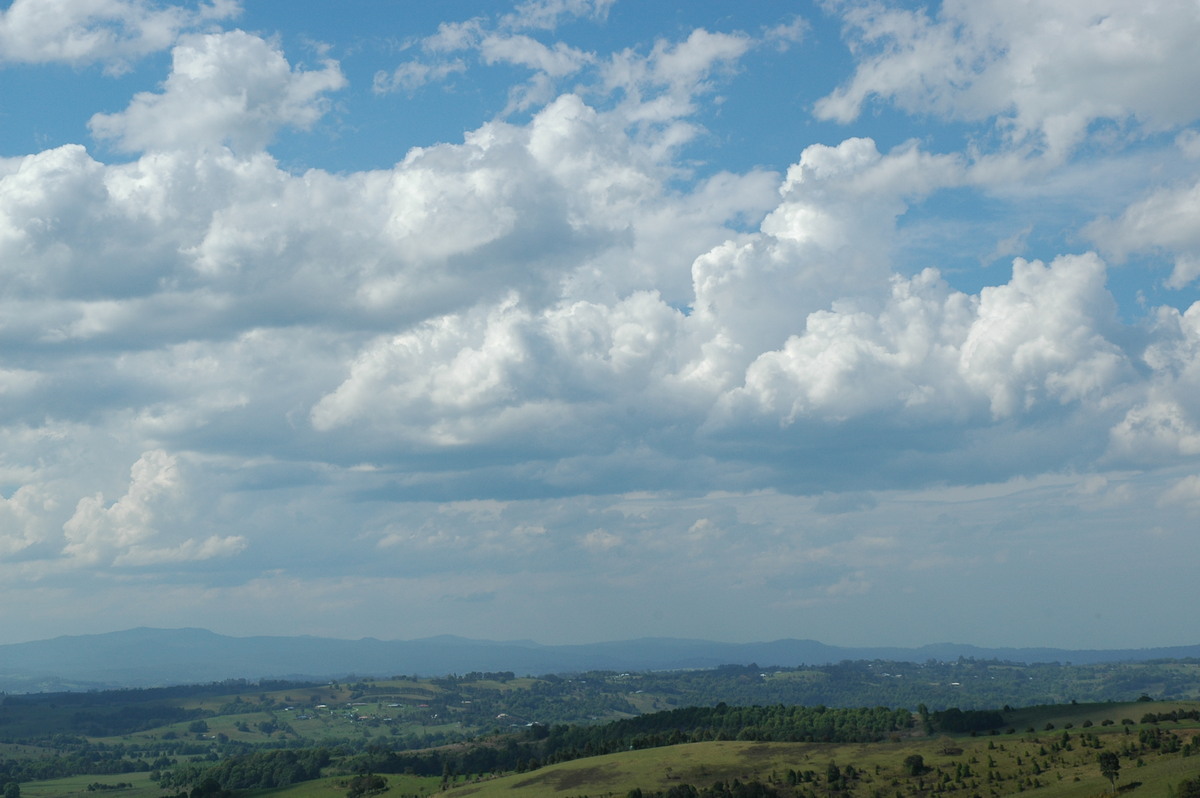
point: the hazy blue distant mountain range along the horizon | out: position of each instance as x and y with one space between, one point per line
141 658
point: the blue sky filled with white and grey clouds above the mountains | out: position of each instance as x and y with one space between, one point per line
573 321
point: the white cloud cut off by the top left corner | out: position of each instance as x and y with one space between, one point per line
112 33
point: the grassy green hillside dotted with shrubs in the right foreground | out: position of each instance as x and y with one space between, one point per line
1059 760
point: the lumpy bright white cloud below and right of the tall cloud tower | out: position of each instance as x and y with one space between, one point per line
938 355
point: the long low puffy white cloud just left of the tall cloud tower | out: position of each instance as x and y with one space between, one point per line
507 374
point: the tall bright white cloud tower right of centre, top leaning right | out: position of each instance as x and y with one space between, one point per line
829 239
